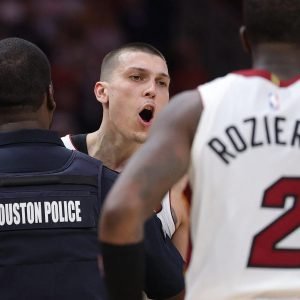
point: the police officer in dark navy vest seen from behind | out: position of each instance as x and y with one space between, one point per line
49 196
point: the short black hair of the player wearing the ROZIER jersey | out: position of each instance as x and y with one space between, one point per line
272 20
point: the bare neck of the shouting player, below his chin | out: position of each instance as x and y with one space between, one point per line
112 149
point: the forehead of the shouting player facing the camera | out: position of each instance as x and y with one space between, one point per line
139 60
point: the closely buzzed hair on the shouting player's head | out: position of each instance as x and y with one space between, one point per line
109 61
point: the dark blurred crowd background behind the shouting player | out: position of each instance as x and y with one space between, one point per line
198 37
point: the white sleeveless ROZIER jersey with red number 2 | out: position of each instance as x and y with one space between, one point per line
245 177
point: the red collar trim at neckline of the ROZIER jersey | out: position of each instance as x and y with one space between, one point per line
269 76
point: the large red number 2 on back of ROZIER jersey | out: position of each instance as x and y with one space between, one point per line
264 253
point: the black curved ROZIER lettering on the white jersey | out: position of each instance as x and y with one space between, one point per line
255 132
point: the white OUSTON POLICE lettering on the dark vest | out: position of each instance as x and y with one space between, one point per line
40 212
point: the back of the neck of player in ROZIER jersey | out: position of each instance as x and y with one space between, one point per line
279 59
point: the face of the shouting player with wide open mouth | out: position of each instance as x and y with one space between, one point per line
137 91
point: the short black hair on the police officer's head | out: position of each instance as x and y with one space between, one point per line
25 74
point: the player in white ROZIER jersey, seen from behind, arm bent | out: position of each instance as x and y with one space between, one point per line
239 136
